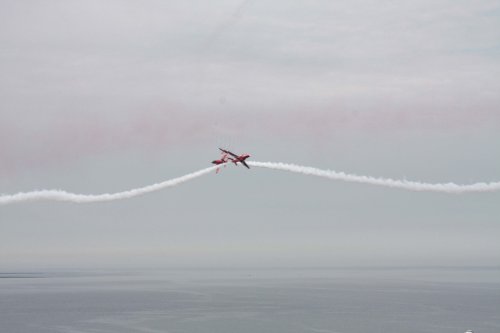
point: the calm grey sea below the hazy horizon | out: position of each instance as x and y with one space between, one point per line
323 300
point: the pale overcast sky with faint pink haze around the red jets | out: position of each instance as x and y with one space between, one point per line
101 96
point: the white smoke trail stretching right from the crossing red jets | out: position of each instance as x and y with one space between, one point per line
394 183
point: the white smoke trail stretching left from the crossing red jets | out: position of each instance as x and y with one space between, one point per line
59 195
